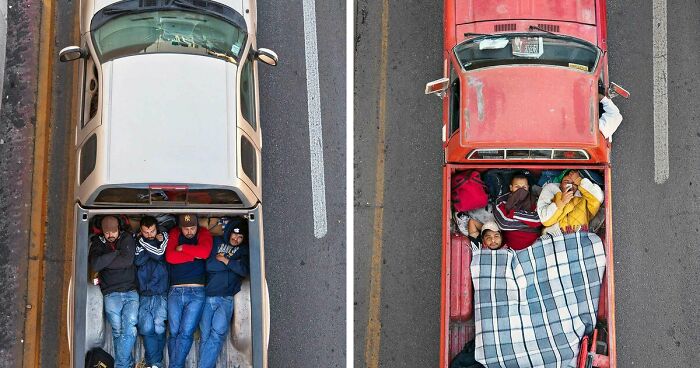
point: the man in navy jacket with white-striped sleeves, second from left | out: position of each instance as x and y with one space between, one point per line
152 272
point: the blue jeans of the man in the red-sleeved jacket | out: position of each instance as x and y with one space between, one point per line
185 306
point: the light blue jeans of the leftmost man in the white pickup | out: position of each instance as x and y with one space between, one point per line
122 310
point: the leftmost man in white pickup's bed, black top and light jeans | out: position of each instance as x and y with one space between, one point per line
112 257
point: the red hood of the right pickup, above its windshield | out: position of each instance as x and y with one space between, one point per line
579 11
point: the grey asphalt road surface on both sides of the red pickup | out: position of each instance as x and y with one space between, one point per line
656 227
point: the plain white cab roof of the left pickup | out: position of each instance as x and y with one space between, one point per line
170 118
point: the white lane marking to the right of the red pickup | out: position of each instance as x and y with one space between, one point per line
660 63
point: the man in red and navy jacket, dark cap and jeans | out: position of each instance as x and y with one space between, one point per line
188 248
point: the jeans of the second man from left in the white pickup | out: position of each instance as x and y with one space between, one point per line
152 316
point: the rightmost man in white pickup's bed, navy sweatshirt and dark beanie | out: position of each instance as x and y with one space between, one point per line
227 266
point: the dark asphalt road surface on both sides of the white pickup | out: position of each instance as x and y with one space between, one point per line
306 275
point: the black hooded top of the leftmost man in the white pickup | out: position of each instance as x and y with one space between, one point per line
114 263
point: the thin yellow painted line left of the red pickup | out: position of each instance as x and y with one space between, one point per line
374 325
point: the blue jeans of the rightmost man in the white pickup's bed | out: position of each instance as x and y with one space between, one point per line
214 326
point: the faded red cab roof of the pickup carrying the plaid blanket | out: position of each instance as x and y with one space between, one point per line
529 106
